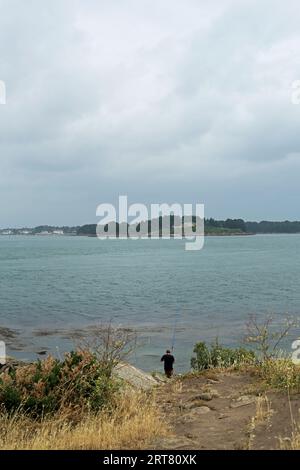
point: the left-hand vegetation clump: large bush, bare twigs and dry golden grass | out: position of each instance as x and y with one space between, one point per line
78 401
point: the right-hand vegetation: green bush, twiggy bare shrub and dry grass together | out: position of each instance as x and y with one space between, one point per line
264 355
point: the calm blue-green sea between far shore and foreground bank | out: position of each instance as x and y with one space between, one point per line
51 286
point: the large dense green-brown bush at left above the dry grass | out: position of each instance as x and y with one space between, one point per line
80 381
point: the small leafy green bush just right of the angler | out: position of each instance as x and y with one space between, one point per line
218 356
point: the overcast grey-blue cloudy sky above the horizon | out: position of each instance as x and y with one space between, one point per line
162 100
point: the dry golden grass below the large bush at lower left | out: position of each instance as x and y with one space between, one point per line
133 424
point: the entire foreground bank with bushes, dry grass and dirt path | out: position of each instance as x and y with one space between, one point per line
79 402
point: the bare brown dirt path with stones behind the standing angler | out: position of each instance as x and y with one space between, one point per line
224 411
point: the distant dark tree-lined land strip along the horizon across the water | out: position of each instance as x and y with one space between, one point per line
212 227
